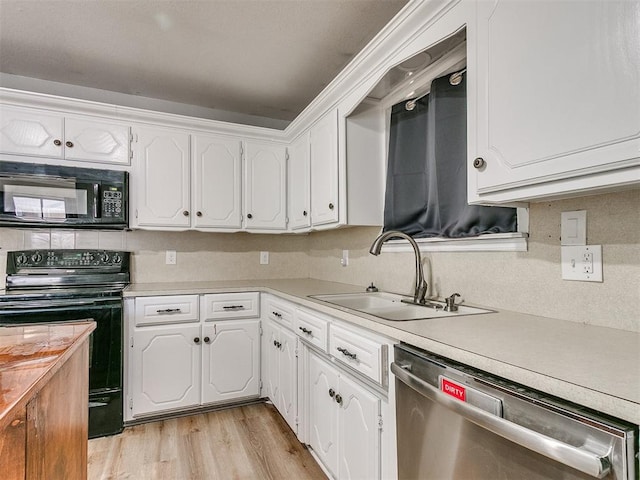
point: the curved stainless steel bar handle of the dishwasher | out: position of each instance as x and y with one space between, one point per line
574 457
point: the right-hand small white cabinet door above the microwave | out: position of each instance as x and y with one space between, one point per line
96 141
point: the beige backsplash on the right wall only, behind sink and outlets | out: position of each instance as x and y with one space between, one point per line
528 282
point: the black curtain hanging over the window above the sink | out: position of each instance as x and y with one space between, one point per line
426 192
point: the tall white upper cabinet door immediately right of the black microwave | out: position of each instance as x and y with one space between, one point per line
162 178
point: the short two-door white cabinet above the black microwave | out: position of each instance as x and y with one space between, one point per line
42 133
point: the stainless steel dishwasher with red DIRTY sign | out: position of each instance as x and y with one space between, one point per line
455 422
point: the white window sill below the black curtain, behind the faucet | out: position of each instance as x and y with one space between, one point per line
498 242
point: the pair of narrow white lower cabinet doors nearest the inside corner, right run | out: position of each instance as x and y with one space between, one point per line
281 370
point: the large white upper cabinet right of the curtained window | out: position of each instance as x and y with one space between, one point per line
557 99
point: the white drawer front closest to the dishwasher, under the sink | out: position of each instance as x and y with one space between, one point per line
358 352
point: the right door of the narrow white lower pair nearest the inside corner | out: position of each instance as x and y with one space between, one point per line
287 393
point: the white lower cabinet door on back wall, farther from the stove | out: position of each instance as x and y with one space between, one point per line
230 360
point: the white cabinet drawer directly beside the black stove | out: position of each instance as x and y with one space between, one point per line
166 309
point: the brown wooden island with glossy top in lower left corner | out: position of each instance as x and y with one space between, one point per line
44 417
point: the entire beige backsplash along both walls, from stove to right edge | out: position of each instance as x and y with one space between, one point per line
528 282
